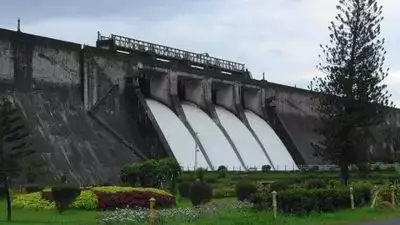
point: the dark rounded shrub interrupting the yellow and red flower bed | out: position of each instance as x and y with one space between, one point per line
64 195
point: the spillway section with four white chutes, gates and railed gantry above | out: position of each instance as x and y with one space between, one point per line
190 96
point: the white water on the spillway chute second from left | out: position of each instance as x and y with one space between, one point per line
217 147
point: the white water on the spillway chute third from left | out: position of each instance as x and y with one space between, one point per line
249 149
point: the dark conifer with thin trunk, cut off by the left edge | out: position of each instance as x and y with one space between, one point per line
13 145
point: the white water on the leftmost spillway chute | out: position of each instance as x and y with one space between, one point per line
178 137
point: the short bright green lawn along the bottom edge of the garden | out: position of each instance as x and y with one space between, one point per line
33 217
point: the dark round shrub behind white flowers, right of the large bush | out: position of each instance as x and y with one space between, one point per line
200 193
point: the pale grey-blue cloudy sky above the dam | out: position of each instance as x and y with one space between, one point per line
278 37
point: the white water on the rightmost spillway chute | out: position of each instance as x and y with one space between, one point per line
275 148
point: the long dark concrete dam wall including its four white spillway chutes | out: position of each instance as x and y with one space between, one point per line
93 109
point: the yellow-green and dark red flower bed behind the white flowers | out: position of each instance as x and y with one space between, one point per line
100 198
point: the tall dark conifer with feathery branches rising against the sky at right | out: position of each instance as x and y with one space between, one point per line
351 97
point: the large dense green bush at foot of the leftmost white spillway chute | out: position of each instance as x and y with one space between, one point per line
152 173
